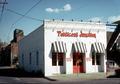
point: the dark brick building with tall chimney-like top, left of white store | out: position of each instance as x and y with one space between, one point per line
9 53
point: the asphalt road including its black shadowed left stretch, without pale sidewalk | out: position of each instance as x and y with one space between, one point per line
11 75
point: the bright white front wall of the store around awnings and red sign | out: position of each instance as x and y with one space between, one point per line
51 28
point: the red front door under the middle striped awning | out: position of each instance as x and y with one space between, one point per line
78 63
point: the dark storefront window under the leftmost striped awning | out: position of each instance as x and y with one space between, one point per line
57 59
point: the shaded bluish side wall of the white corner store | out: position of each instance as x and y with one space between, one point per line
32 43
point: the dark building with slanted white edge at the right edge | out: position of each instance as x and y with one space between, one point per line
113 47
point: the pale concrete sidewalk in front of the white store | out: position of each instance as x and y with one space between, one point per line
81 76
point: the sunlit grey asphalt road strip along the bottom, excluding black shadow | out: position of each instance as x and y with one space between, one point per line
46 81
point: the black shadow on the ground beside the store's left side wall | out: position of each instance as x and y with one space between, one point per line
14 72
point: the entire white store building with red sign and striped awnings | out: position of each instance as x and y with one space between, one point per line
64 47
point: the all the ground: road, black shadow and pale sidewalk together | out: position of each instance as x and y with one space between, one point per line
11 75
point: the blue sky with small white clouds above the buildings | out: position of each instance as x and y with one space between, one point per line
29 14
